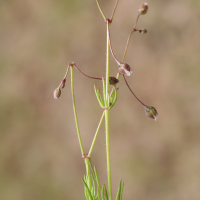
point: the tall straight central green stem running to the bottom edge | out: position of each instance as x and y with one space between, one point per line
107 114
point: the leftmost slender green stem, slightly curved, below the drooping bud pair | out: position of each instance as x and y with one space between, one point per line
75 114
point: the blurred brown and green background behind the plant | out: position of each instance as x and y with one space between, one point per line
40 158
